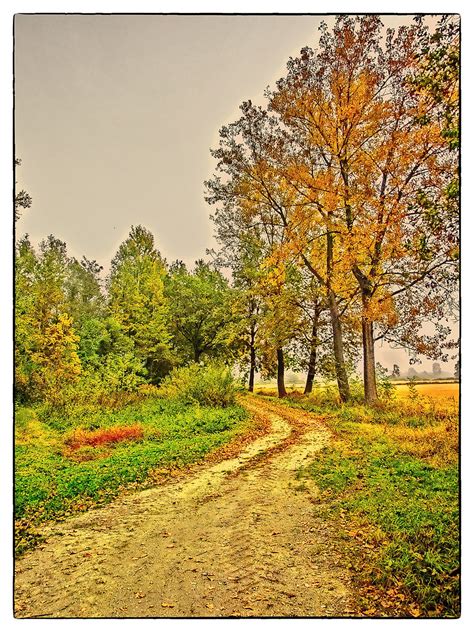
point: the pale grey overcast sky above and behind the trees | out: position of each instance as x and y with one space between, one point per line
115 115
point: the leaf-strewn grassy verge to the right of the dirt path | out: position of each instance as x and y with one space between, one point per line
391 477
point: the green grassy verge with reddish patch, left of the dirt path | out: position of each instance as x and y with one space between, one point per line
69 463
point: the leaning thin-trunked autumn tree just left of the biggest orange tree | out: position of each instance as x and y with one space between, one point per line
248 182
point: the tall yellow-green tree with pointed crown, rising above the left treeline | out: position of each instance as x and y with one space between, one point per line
137 301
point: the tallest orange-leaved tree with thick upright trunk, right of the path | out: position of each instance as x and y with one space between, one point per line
361 157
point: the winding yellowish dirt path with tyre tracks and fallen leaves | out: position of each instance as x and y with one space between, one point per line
238 538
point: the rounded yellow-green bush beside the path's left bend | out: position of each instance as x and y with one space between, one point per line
211 385
